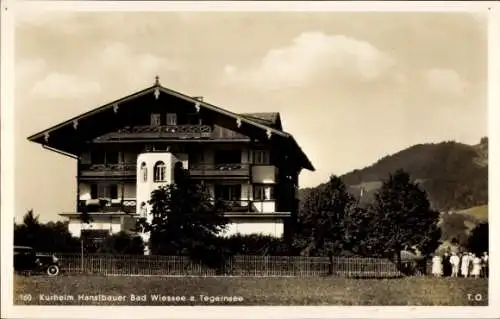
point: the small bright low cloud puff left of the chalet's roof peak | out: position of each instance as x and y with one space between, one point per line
58 85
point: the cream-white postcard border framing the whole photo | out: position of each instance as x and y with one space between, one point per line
8 162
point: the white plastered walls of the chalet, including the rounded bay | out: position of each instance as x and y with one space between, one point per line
156 169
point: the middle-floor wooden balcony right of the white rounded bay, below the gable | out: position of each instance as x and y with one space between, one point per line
238 170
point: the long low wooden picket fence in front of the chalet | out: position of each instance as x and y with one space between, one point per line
249 266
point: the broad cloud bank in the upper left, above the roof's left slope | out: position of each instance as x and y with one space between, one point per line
115 60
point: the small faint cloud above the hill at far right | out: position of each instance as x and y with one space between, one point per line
446 81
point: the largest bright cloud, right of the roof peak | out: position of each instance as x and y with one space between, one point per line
314 54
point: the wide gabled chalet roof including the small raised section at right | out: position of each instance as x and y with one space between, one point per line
268 123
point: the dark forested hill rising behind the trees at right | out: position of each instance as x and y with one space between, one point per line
455 175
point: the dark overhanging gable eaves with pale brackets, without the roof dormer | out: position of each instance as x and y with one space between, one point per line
68 136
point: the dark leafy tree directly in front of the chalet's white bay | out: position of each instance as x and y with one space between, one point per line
185 221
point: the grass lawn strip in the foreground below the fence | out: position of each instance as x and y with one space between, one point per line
415 291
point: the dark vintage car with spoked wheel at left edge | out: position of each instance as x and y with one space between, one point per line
27 260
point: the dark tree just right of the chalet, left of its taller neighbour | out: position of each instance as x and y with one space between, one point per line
321 227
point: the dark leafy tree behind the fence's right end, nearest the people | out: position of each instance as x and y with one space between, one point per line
401 218
